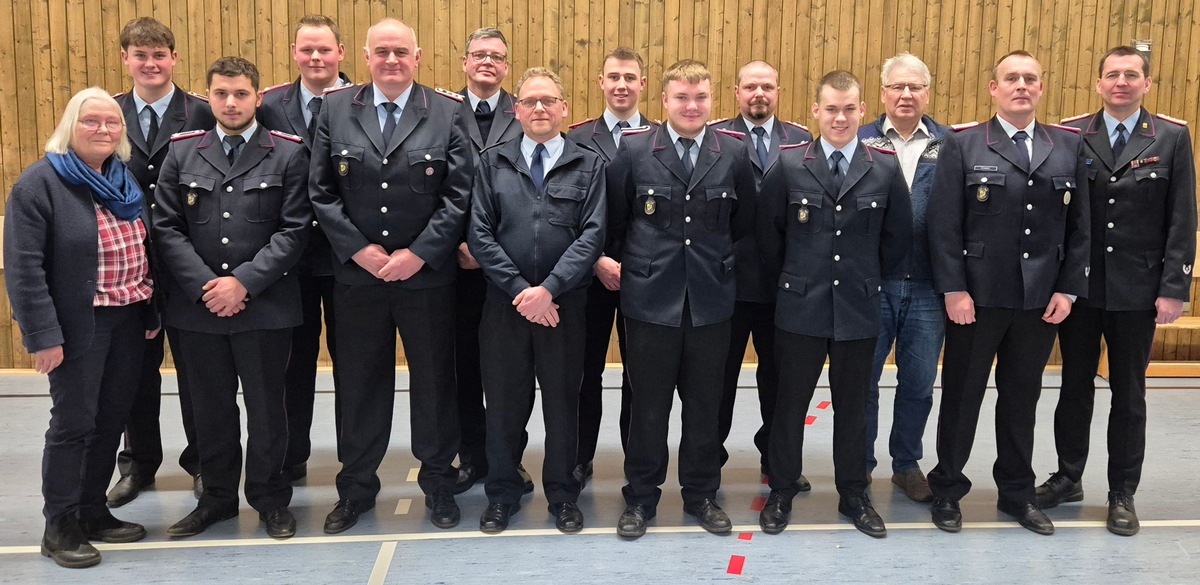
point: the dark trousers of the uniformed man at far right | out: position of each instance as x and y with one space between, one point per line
1130 336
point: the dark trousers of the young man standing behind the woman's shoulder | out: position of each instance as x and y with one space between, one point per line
142 455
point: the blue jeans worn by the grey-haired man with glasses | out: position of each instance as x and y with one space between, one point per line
914 318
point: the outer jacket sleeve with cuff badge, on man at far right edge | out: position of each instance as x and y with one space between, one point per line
1181 218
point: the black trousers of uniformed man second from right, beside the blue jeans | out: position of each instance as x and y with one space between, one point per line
1021 343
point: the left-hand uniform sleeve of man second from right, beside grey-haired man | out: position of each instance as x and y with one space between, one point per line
945 220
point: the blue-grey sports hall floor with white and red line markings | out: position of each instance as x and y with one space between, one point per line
395 544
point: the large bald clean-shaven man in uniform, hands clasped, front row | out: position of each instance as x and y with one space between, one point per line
391 184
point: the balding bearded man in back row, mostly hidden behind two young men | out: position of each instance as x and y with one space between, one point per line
754 315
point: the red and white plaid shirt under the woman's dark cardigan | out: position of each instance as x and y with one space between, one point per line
124 276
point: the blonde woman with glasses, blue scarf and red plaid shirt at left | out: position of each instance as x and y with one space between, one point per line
79 279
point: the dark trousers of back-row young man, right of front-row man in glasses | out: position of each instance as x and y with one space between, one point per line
602 306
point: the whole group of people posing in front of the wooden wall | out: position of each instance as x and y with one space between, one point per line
503 250
